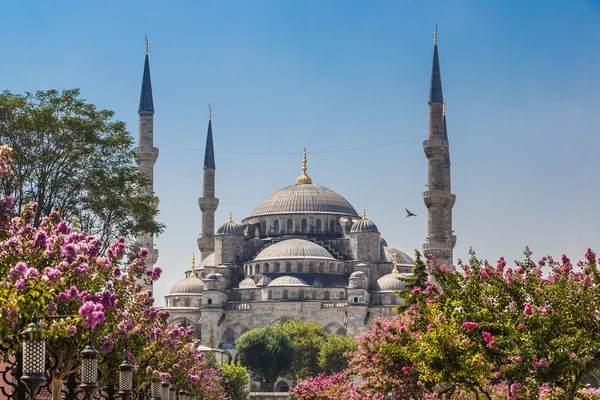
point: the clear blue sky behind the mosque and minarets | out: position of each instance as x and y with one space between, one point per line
349 81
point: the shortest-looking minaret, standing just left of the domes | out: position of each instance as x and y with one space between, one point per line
208 203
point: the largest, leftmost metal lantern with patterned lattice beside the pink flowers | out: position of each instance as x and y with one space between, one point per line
34 357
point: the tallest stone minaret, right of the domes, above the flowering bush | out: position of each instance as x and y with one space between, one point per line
438 199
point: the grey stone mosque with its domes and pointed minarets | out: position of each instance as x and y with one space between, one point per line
304 252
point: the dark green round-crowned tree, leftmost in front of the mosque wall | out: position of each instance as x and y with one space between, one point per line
267 352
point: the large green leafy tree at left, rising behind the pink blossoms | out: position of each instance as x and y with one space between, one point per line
69 156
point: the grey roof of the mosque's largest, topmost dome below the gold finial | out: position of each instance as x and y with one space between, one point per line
305 198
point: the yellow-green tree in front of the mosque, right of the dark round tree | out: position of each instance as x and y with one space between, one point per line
308 337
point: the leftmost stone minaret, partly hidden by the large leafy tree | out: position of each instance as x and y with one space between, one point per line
146 154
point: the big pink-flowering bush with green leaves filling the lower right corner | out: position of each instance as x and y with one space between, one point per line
490 332
